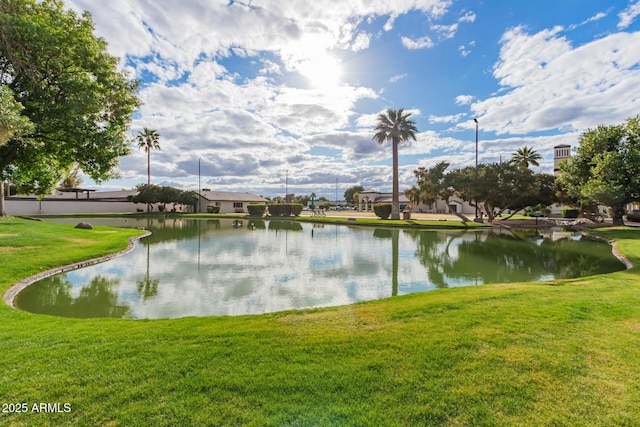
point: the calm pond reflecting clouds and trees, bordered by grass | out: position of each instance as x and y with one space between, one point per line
203 267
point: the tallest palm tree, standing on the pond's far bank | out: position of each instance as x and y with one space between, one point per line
395 126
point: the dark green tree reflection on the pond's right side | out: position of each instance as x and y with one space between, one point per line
503 257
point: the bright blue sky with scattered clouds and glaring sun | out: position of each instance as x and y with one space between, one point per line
256 91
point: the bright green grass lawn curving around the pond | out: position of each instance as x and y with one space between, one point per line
565 352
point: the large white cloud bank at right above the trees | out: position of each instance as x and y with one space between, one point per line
549 84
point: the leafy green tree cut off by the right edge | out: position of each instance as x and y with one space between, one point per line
606 167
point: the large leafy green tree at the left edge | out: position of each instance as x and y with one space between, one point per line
78 102
